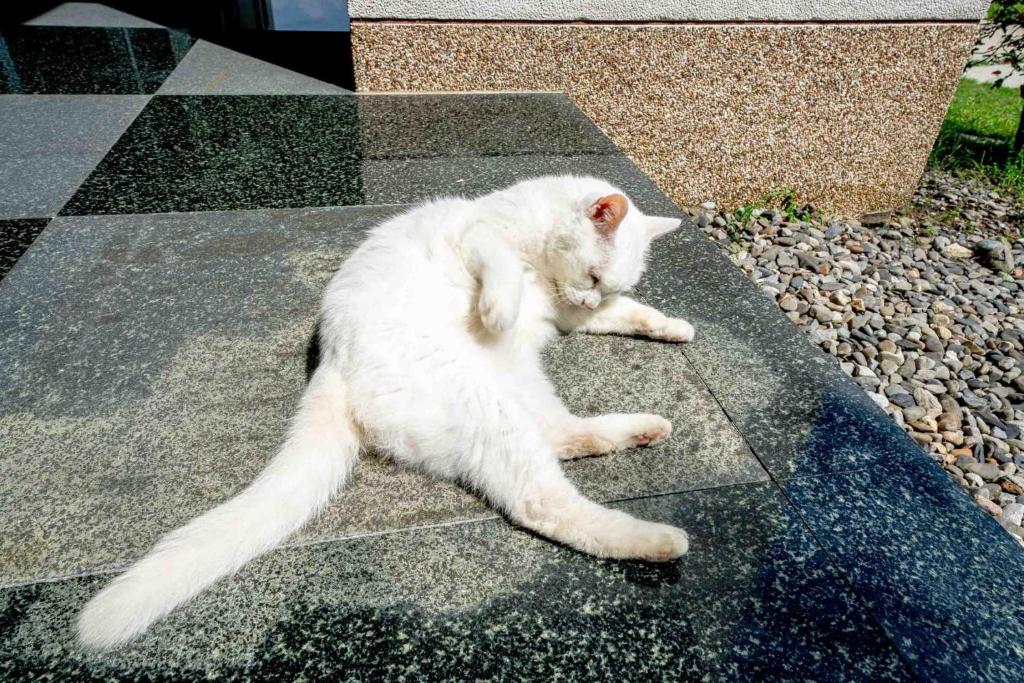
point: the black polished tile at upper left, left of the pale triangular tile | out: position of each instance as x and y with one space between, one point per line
89 60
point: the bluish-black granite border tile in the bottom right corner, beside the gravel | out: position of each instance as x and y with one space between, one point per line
941 576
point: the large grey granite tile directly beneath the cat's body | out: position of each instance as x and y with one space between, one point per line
172 349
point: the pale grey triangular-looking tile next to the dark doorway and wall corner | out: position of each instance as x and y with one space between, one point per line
212 70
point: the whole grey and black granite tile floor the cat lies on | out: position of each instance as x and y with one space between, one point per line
155 333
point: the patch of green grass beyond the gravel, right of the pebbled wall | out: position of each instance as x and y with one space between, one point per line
977 134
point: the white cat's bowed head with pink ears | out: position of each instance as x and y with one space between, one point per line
599 243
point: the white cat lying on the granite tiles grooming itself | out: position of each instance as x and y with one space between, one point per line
431 338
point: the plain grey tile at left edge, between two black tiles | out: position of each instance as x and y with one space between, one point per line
50 145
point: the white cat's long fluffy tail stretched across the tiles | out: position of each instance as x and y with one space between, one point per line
318 455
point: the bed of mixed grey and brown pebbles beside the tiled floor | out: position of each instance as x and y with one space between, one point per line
924 309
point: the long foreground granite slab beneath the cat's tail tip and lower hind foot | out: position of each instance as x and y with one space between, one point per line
755 600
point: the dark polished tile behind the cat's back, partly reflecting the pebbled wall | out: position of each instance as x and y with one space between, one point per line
218 153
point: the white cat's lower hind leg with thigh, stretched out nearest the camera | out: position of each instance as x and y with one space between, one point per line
496 447
